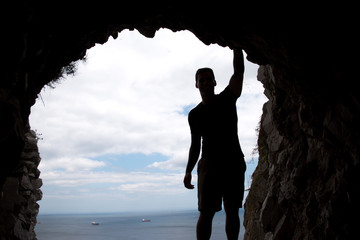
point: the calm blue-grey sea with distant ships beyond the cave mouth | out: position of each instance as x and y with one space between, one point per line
175 225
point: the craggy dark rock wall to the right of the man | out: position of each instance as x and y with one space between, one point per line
309 159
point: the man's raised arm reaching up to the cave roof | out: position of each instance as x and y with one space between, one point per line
236 80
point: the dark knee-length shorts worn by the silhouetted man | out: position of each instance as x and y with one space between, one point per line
219 184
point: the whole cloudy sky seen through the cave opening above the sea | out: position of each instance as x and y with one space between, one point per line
115 137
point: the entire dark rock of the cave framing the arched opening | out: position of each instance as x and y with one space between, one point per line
306 183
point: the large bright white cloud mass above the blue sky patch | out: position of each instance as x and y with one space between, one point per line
128 98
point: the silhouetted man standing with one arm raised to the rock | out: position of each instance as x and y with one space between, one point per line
222 166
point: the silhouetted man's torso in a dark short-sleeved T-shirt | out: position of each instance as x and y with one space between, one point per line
216 122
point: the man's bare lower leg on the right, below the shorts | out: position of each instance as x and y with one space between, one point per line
232 226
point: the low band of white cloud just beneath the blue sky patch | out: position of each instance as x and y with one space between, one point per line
118 182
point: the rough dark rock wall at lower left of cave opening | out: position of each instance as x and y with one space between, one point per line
20 192
